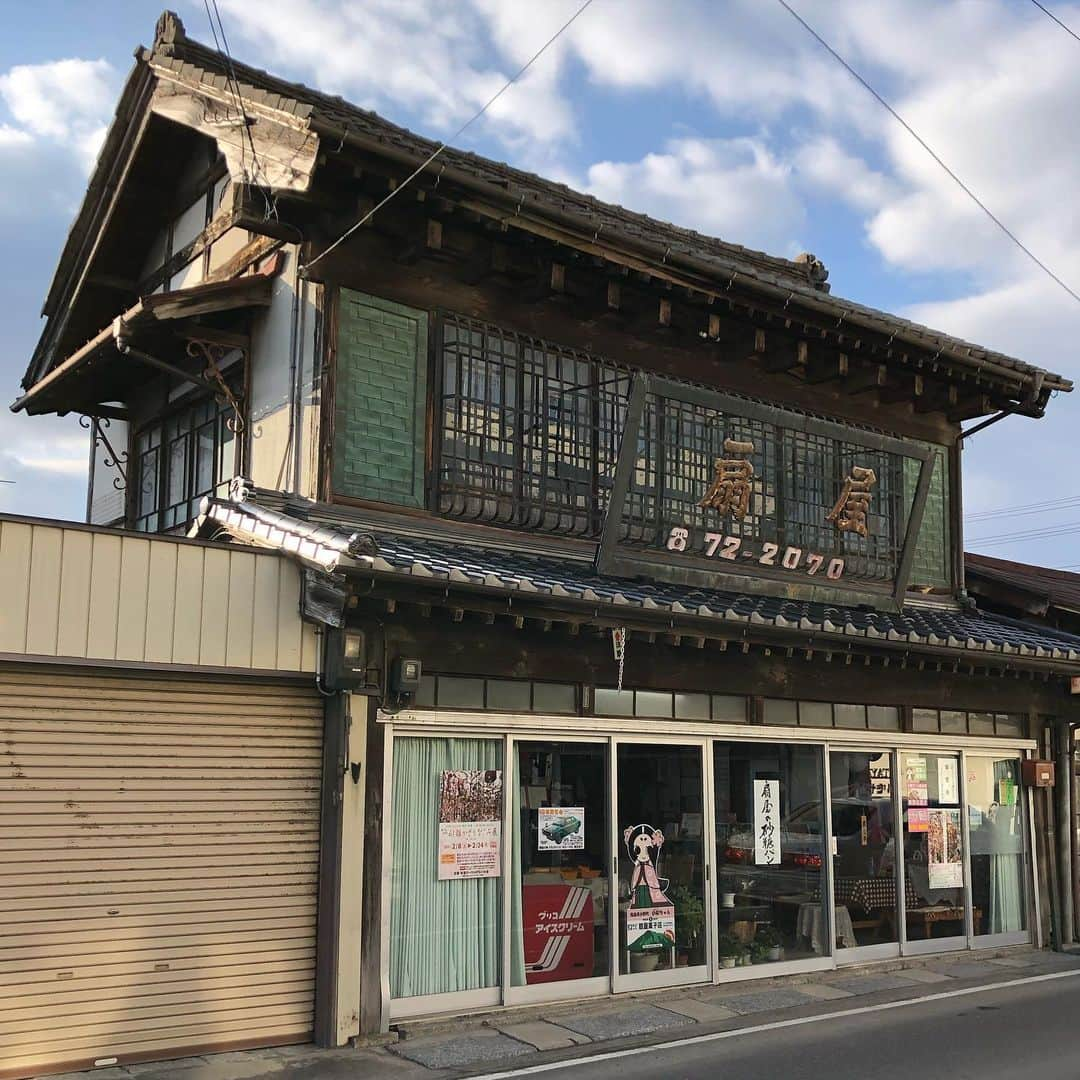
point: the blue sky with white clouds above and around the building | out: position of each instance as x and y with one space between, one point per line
721 115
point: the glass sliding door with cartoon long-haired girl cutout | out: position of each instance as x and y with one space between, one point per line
660 823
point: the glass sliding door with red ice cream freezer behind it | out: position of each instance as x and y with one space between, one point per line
560 938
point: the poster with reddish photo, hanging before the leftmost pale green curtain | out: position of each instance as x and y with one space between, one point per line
470 823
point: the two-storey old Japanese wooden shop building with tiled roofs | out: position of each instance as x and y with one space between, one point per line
637 556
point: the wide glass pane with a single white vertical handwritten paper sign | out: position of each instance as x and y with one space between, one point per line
771 854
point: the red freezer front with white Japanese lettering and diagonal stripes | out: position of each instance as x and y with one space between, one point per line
558 933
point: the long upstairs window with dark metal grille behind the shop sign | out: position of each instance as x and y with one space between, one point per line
531 433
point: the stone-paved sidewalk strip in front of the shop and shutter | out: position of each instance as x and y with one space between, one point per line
519 1037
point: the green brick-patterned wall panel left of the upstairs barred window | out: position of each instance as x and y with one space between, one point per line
381 401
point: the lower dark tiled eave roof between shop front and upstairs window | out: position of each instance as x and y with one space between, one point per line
510 573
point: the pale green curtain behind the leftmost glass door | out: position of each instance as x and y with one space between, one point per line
444 936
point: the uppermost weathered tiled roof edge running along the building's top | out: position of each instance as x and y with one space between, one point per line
198 65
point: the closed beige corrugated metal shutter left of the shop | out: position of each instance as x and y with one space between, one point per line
159 853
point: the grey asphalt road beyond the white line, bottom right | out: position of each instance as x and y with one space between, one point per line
1027 1031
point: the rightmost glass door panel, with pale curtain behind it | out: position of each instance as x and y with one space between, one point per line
1000 873
